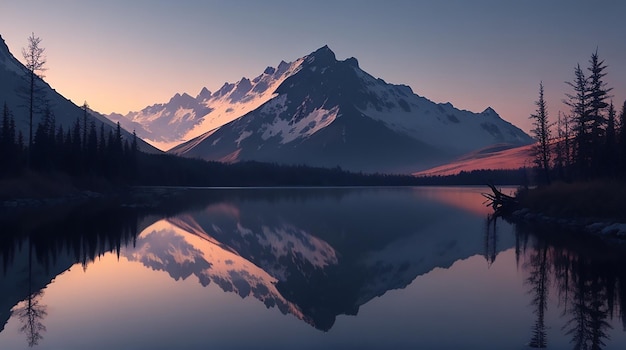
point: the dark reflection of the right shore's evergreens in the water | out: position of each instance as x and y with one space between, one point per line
585 272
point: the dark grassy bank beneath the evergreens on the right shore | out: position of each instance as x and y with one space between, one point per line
602 199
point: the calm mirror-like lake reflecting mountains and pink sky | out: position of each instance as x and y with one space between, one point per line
306 268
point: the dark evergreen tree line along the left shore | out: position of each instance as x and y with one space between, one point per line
82 150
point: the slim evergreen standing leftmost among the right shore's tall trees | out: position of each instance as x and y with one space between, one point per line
541 134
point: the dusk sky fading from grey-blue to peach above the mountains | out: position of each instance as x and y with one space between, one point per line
121 55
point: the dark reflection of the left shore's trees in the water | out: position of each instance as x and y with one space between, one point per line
50 248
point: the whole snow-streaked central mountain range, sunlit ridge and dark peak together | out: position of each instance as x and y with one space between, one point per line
320 111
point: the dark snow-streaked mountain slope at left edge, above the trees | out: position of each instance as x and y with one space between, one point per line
14 87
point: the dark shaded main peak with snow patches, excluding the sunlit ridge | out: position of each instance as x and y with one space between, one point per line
331 113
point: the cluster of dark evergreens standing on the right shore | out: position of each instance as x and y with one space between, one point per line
589 141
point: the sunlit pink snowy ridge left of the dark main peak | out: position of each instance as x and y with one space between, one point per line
185 117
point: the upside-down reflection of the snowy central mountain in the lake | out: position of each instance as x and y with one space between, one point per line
314 257
